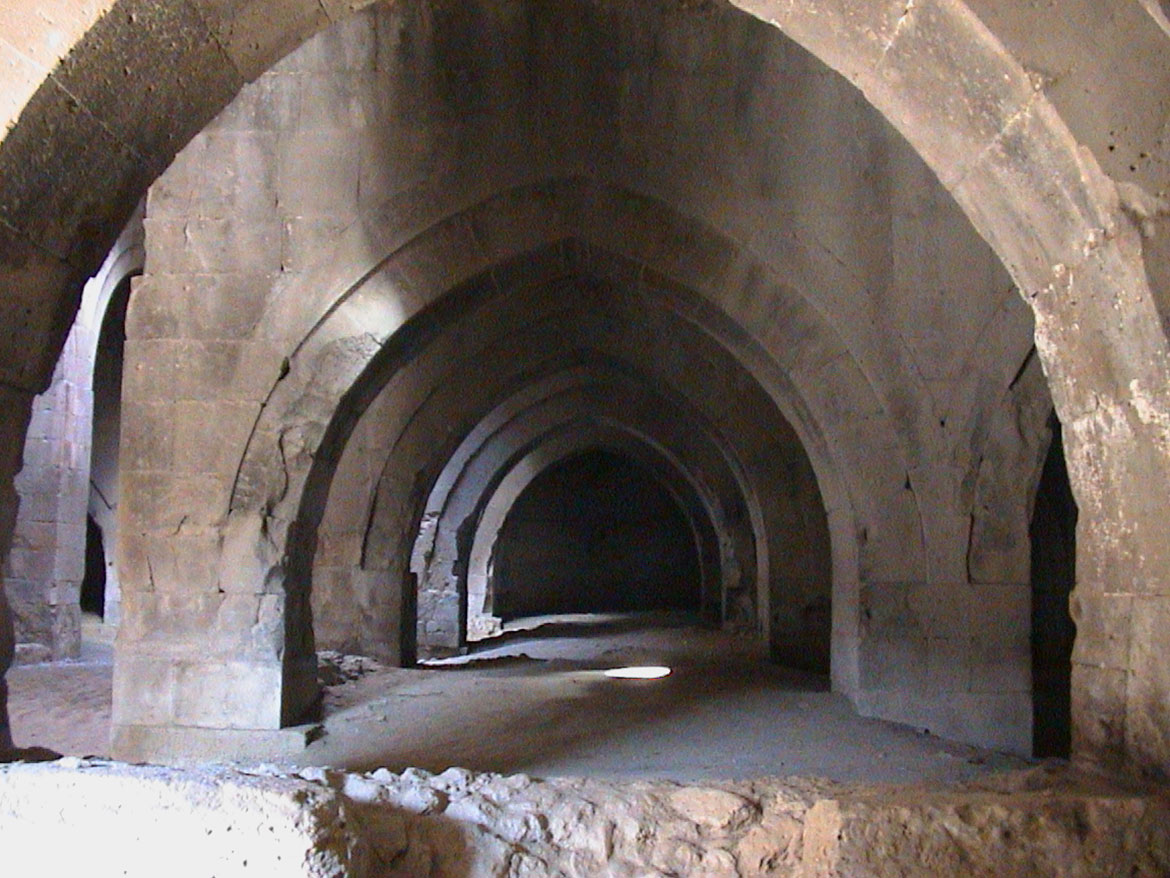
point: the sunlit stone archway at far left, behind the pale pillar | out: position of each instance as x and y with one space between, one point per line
68 484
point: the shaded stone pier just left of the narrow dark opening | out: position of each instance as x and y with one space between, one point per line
949 651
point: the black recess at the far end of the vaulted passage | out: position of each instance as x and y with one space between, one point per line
595 533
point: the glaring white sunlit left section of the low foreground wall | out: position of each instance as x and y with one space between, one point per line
224 824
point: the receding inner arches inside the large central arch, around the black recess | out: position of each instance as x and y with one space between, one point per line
568 362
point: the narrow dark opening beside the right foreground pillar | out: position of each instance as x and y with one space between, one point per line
1054 575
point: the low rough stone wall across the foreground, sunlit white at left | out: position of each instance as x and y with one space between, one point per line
100 819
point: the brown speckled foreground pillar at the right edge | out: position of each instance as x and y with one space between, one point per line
1109 362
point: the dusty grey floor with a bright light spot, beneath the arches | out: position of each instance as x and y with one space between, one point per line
536 702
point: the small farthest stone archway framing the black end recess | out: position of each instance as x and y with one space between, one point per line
680 447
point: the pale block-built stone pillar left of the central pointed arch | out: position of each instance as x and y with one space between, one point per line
204 663
